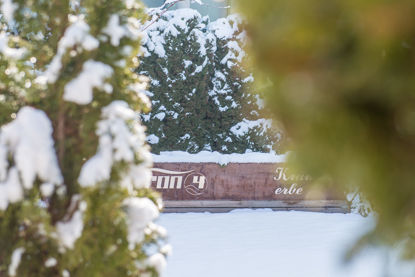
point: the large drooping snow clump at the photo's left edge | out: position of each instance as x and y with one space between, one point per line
28 140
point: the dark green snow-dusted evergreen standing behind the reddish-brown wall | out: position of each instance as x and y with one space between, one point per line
202 96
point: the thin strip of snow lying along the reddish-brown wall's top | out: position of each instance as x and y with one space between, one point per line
216 157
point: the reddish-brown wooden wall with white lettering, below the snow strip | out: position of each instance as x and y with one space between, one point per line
235 181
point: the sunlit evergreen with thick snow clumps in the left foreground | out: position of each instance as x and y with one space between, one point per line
74 165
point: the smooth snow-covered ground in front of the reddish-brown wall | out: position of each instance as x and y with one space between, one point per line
262 243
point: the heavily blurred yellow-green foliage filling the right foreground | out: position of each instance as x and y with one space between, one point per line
343 85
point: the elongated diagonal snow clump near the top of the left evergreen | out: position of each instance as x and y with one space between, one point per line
77 34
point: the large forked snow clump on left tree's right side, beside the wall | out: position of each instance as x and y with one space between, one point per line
121 138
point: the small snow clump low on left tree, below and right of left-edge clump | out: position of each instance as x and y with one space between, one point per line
69 231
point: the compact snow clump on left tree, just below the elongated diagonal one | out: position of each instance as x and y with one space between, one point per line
93 75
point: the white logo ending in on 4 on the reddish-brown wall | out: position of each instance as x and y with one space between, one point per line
192 182
